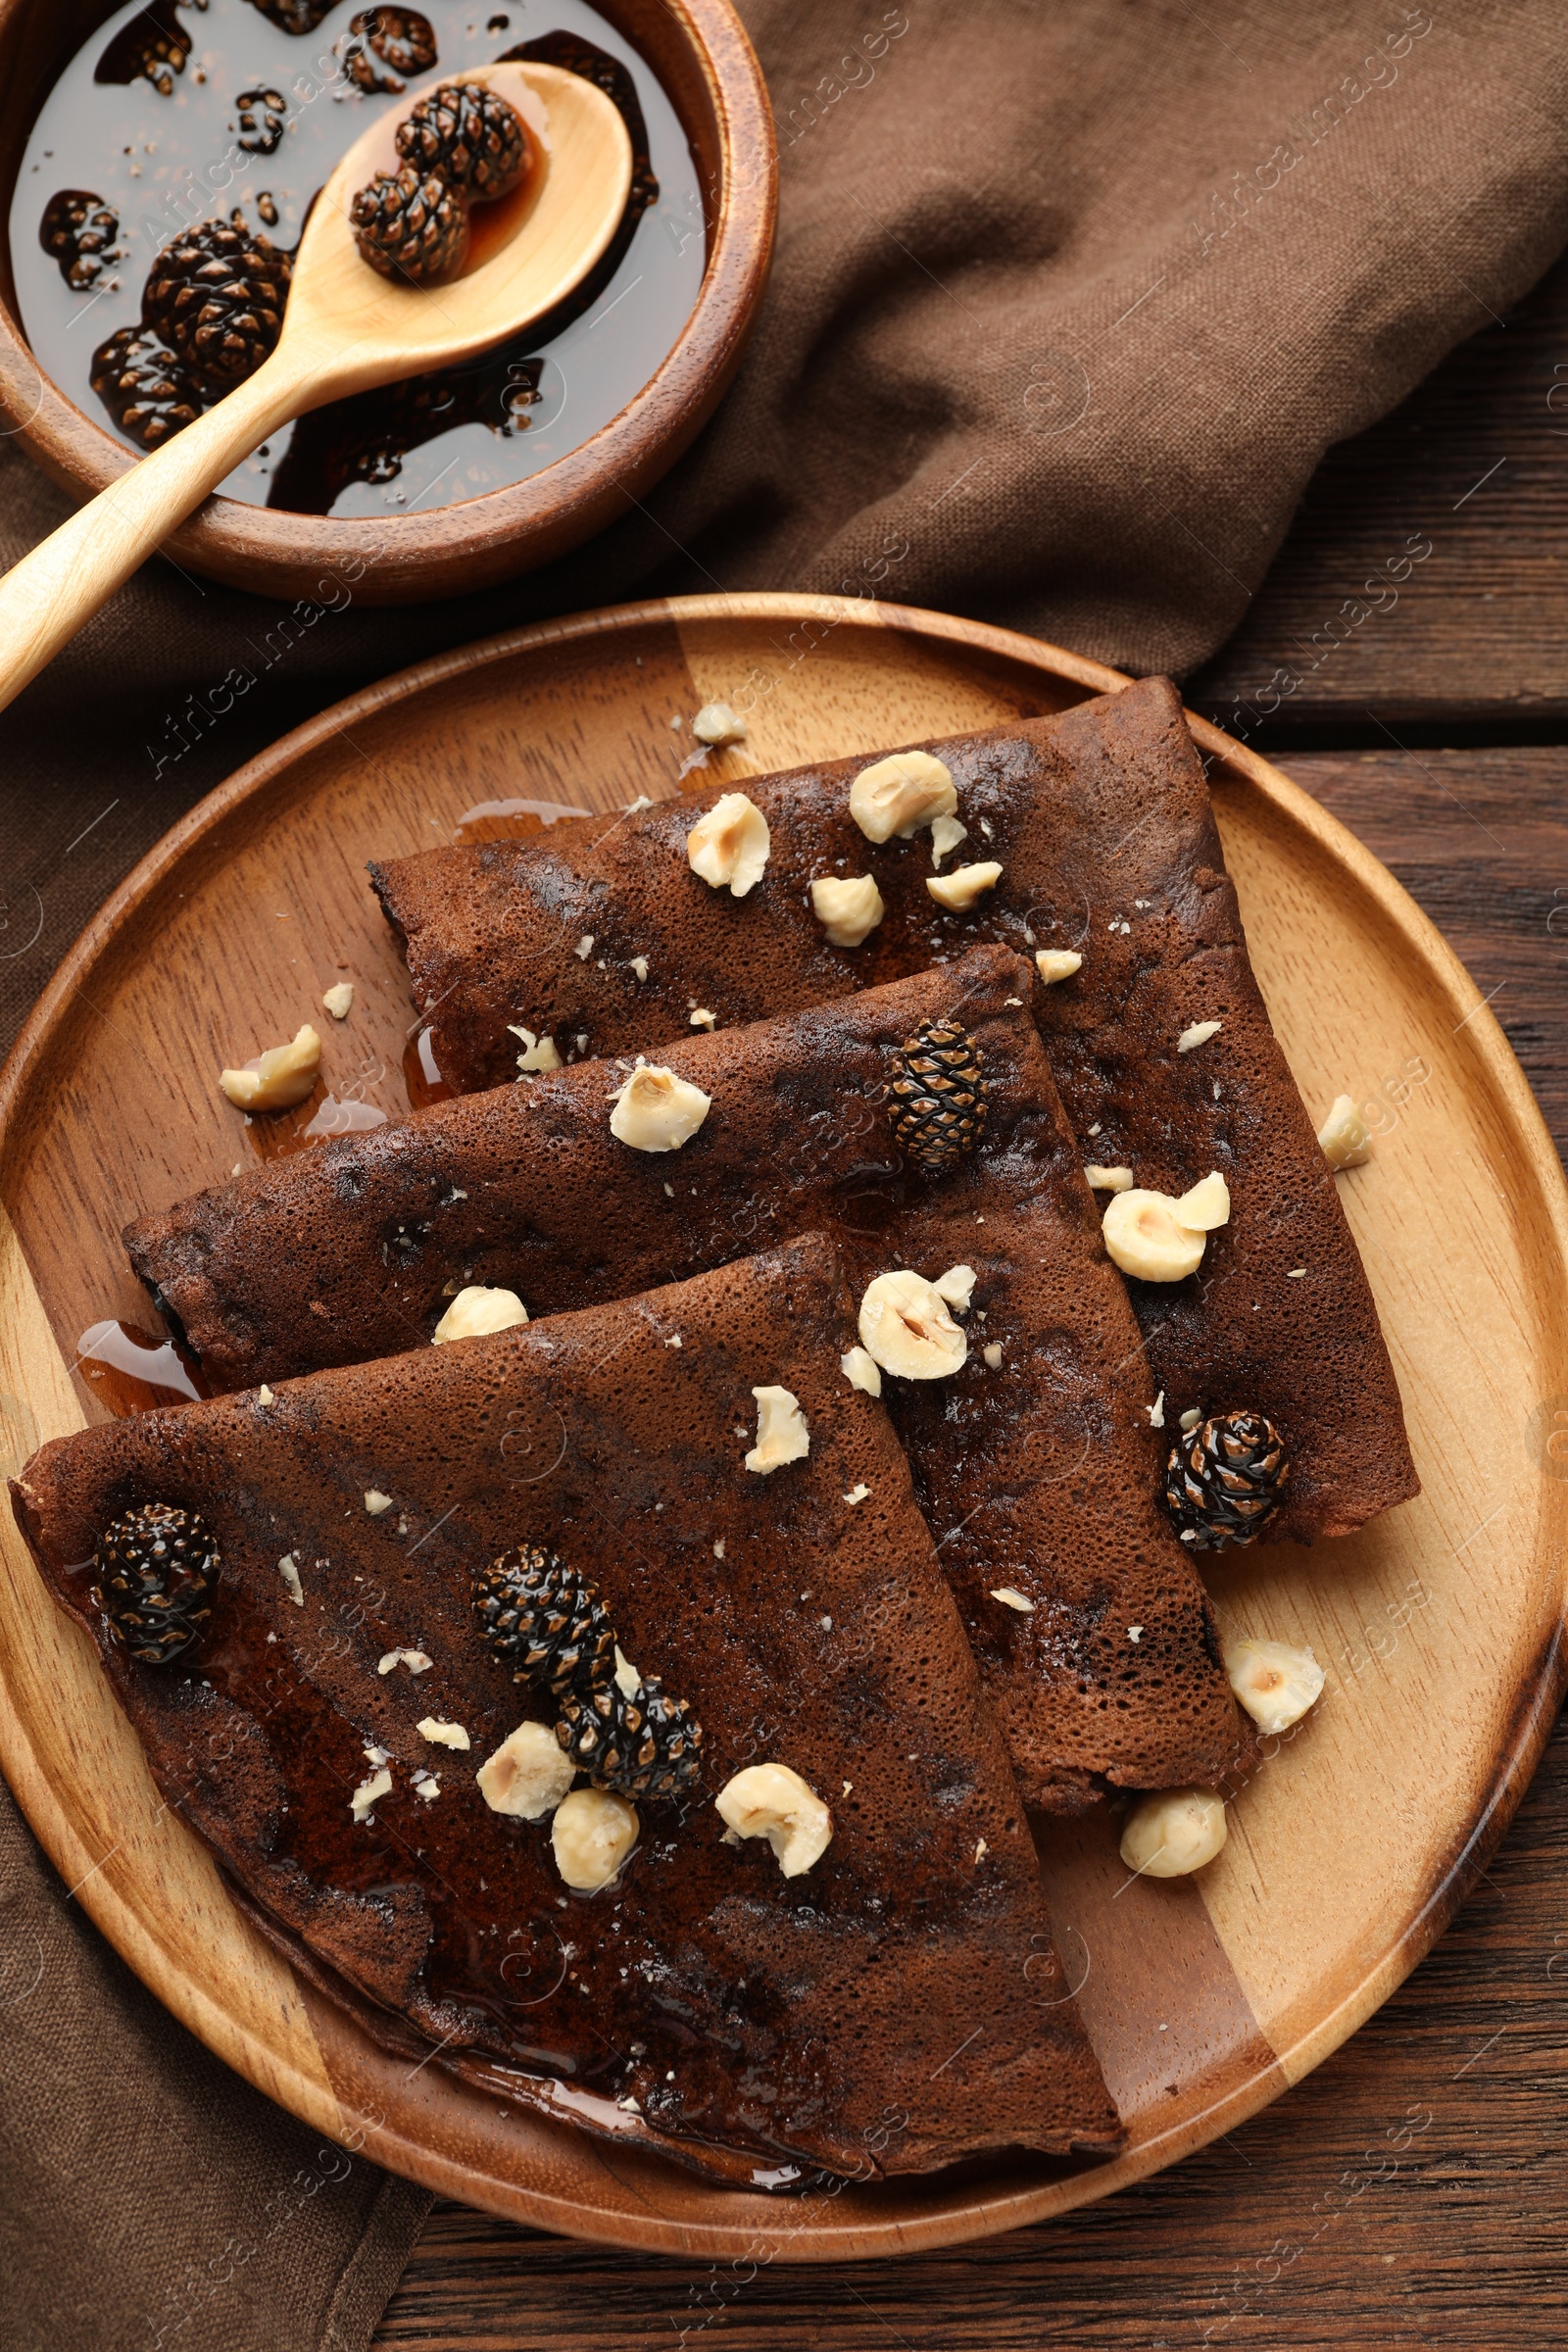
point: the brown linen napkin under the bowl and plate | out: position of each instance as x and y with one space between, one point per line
1071 298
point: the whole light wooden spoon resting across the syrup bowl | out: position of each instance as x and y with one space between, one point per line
347 330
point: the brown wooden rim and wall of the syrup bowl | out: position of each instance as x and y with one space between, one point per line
711 74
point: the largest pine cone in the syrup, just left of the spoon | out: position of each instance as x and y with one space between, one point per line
215 298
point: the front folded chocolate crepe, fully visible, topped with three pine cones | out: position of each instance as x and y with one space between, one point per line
892 2007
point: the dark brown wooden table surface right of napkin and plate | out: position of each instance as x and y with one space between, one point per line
1430 711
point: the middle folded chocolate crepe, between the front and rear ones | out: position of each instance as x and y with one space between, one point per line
1036 1462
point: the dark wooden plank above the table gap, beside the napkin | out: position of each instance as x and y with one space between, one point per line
1473 634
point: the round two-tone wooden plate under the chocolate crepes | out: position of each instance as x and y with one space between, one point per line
1440 1626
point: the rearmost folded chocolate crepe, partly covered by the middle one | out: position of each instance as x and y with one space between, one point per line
1106 841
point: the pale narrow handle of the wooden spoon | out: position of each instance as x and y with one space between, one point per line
53 592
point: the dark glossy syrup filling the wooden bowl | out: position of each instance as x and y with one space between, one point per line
177 114
